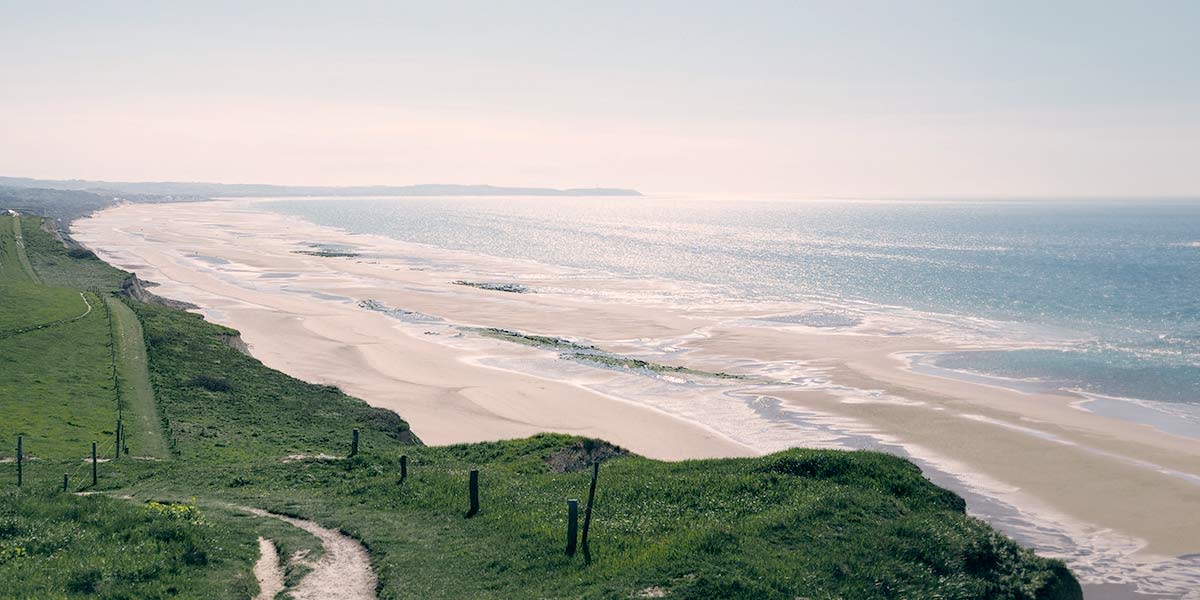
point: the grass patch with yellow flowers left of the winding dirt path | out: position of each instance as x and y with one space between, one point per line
57 545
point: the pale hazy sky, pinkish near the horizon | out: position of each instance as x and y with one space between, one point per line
839 99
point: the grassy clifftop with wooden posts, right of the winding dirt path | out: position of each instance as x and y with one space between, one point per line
805 523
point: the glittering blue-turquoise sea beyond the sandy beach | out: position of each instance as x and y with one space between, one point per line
1099 297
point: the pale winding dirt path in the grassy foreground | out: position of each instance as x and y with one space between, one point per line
343 573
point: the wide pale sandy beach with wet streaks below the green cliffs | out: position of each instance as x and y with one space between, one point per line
1115 499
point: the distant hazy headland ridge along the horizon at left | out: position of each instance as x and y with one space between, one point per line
178 189
